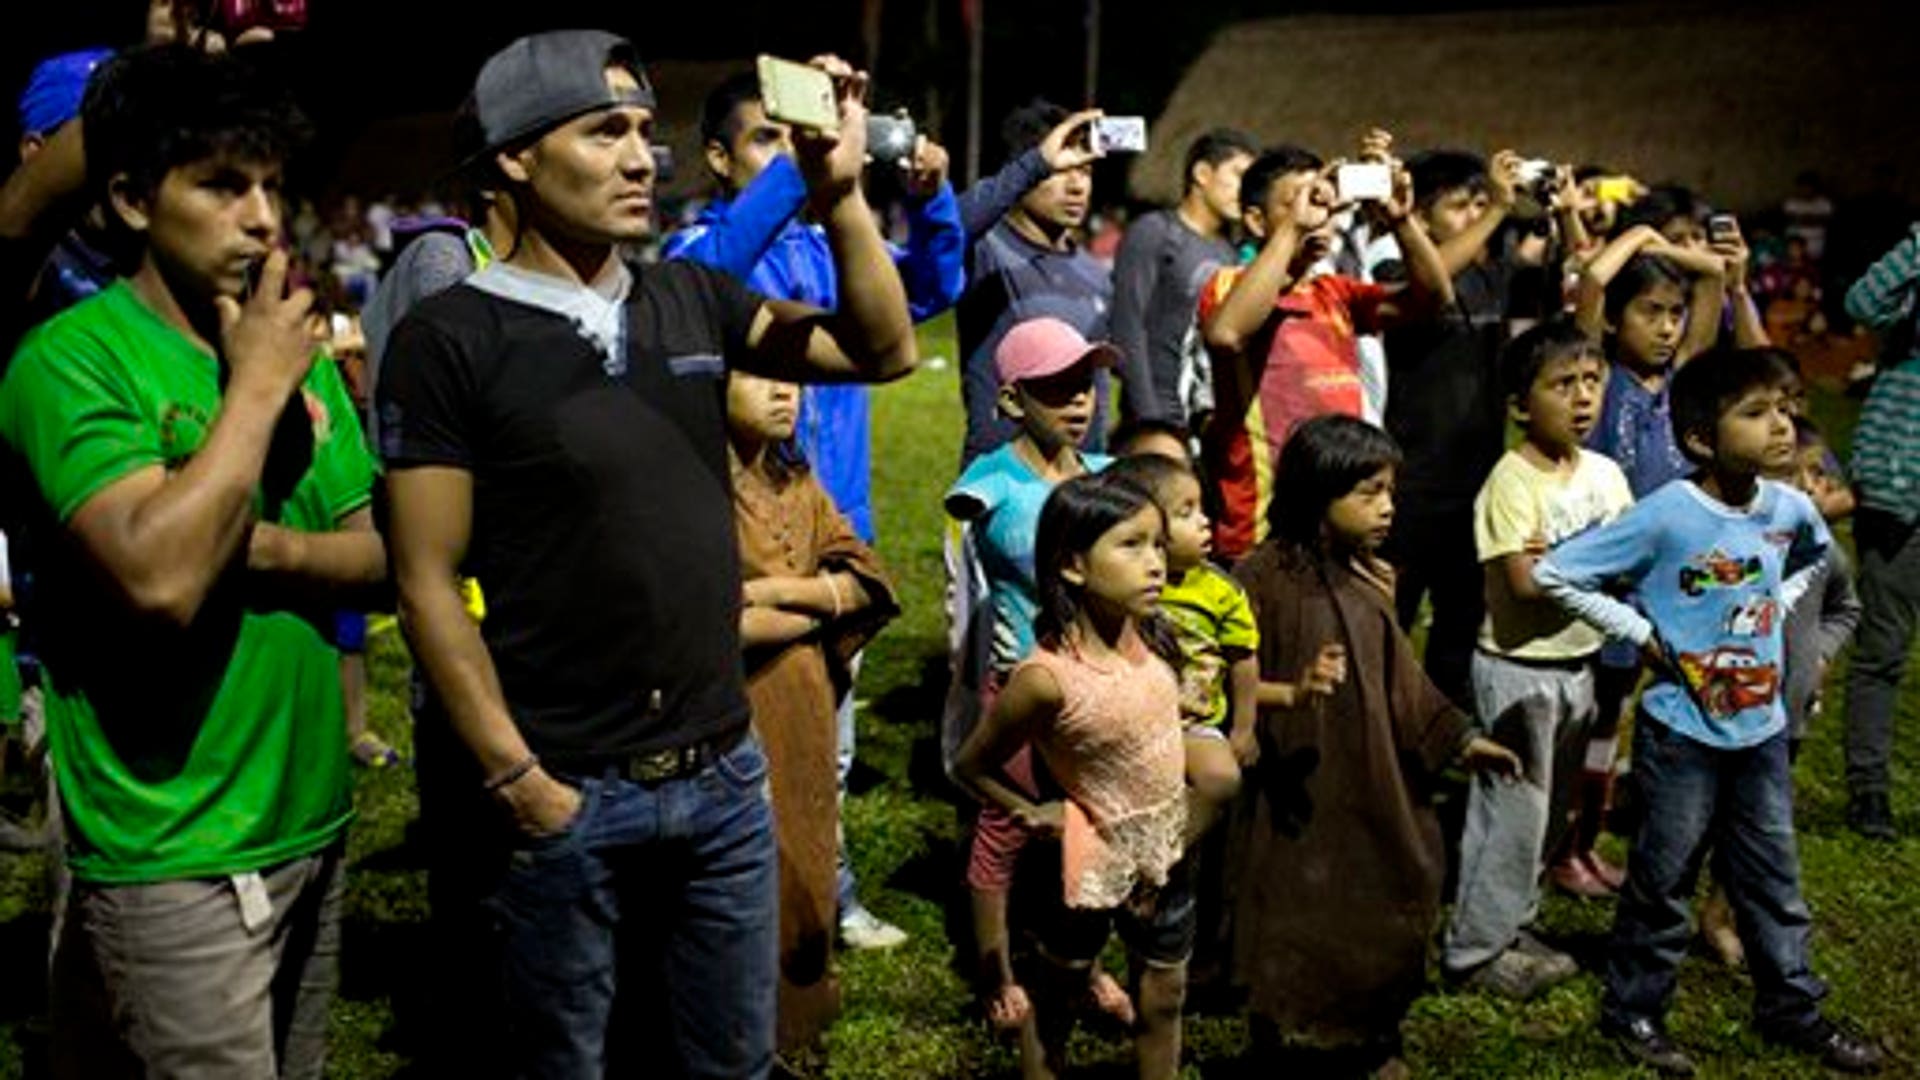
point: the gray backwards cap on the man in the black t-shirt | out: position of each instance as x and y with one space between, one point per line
546 80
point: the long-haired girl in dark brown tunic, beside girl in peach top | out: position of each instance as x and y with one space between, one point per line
1341 862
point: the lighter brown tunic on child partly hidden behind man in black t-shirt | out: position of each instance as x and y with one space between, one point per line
792 529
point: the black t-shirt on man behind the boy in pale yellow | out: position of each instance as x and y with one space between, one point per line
1443 393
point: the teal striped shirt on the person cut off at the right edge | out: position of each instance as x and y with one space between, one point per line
1886 445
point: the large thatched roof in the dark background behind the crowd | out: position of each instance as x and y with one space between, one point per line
1735 103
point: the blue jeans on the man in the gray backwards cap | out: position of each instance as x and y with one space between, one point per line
684 875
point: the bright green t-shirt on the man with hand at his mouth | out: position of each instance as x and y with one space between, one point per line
181 752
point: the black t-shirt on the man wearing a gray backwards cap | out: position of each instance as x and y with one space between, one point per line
604 514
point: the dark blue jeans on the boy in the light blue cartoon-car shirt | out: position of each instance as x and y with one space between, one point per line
1740 804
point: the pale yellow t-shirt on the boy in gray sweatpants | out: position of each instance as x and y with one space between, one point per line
1524 501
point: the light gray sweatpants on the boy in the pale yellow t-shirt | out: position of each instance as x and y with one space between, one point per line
1543 714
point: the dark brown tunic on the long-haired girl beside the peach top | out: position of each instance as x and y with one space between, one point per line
1339 858
